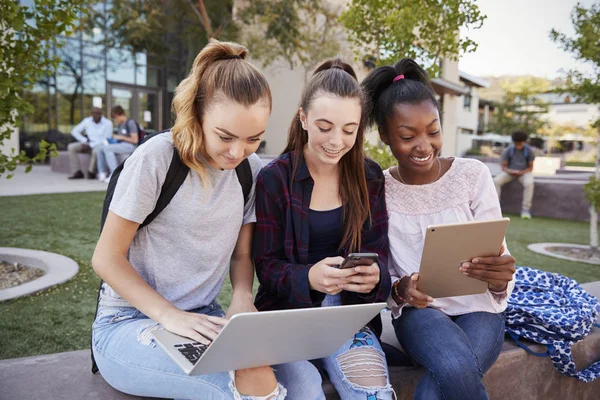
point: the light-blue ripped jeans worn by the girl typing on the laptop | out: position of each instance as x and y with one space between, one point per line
130 361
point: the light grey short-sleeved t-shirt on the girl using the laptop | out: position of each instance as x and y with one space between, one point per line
184 254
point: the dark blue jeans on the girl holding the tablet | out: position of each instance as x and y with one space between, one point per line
456 350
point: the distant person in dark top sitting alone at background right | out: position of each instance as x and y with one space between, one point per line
517 163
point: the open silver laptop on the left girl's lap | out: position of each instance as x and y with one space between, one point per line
269 338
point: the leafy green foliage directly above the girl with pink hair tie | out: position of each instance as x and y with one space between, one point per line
426 30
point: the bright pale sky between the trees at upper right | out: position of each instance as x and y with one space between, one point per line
514 39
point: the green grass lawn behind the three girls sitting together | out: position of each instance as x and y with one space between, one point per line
59 319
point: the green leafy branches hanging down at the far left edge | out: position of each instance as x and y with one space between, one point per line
26 38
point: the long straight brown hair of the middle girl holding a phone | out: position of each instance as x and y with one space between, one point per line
338 78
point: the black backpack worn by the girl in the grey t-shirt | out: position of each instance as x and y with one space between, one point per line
175 177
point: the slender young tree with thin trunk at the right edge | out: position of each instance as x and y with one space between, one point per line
584 45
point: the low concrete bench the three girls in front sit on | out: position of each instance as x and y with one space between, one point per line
516 374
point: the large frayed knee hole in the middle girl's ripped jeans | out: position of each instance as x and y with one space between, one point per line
364 367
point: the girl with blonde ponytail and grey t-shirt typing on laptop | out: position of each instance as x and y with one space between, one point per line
167 274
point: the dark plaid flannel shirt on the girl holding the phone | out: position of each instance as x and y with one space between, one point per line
281 237
